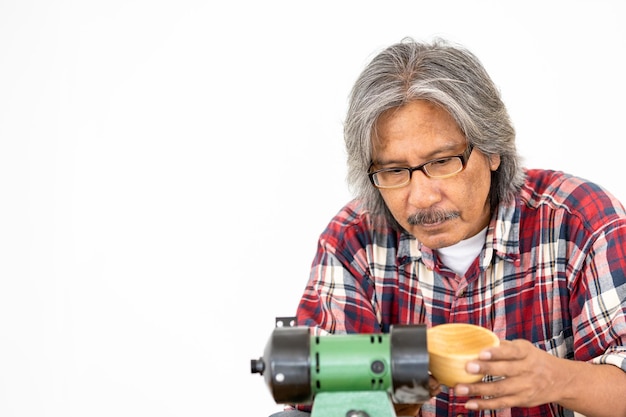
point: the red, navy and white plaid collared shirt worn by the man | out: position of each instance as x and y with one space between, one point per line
552 271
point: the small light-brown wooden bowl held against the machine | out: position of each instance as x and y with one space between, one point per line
451 346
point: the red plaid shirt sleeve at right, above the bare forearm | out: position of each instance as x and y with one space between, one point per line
598 299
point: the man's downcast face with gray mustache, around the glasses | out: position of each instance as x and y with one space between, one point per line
439 212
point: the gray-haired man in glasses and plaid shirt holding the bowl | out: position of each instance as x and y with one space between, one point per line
448 227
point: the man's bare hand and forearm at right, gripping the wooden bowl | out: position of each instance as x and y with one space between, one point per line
531 377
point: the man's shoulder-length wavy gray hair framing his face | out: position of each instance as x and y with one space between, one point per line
448 75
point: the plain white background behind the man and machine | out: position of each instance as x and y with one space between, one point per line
167 166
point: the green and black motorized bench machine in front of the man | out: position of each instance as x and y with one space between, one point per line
347 375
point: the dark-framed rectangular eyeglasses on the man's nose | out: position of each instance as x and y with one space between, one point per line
437 168
